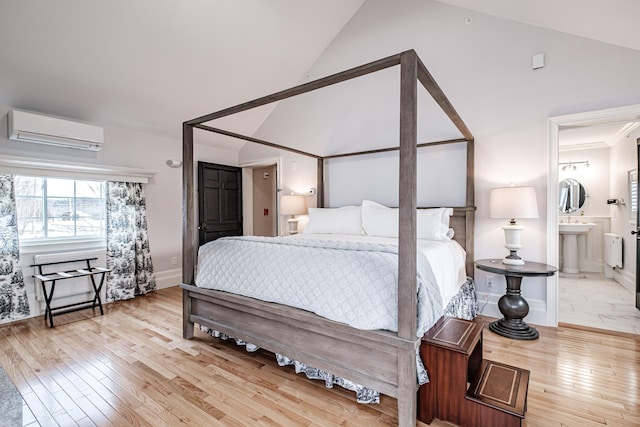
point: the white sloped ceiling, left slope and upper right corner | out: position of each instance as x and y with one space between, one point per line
151 64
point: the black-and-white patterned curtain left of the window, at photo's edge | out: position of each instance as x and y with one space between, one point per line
13 294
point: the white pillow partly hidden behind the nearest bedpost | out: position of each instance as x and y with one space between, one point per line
379 220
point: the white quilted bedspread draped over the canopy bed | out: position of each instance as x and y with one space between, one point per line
347 281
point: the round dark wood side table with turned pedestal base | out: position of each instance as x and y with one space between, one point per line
512 305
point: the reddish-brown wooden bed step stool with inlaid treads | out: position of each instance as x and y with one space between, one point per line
464 388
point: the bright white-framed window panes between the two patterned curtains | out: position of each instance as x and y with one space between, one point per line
59 208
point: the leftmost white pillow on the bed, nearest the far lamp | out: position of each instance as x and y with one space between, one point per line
345 220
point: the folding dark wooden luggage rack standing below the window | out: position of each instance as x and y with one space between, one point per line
54 277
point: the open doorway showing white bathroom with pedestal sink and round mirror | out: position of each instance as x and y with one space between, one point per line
596 249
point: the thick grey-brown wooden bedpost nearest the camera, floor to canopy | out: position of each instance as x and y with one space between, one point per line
407 266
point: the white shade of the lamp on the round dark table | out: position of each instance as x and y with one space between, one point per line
513 203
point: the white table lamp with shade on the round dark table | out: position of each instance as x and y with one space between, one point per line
513 203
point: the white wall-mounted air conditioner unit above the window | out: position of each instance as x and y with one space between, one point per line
42 129
